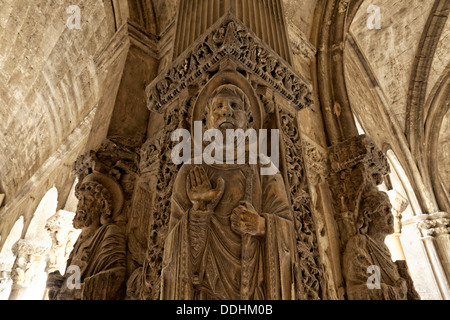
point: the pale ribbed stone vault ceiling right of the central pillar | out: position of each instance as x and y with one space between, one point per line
397 79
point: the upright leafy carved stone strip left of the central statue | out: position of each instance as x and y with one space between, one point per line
156 162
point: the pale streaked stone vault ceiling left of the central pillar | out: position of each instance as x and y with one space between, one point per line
48 76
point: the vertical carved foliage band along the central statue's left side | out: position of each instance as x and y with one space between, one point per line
154 202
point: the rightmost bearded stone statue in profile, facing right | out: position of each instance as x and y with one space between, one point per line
367 254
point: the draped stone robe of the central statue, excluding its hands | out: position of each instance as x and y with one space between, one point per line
205 259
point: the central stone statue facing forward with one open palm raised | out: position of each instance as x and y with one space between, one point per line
231 233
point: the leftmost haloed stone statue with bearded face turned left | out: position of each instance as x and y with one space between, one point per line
100 250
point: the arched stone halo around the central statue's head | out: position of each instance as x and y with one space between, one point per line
222 78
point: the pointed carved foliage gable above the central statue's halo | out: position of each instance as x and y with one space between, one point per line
228 37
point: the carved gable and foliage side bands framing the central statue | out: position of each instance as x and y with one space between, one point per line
227 51
